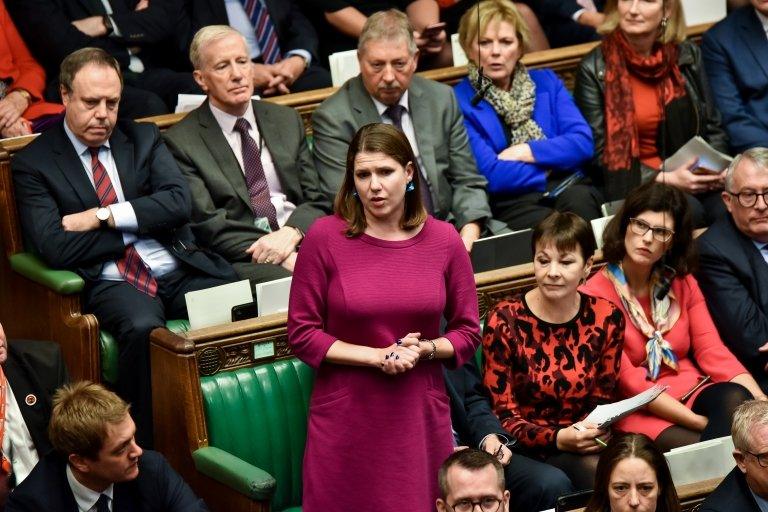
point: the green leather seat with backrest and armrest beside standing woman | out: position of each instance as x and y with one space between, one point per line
257 427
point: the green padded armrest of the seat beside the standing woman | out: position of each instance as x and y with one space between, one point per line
234 472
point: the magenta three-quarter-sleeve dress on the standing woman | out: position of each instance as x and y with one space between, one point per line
374 441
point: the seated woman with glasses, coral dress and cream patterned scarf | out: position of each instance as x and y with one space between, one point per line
669 338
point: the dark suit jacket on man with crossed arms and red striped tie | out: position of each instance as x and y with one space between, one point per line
50 182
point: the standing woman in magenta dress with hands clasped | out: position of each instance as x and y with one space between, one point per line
370 288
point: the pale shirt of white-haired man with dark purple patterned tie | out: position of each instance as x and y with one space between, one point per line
283 207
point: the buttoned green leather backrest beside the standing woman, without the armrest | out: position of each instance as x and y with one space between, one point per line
259 415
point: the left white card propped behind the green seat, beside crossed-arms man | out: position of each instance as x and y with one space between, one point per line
213 306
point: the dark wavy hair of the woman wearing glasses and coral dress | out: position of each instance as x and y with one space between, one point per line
654 197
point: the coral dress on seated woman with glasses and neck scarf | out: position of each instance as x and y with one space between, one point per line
694 335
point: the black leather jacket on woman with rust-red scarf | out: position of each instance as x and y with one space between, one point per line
693 114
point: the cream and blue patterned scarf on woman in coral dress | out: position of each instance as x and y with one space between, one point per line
665 313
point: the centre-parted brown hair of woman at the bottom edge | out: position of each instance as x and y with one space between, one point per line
641 447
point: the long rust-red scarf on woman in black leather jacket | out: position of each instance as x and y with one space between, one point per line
660 67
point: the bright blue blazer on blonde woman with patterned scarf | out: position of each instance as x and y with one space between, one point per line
567 146
